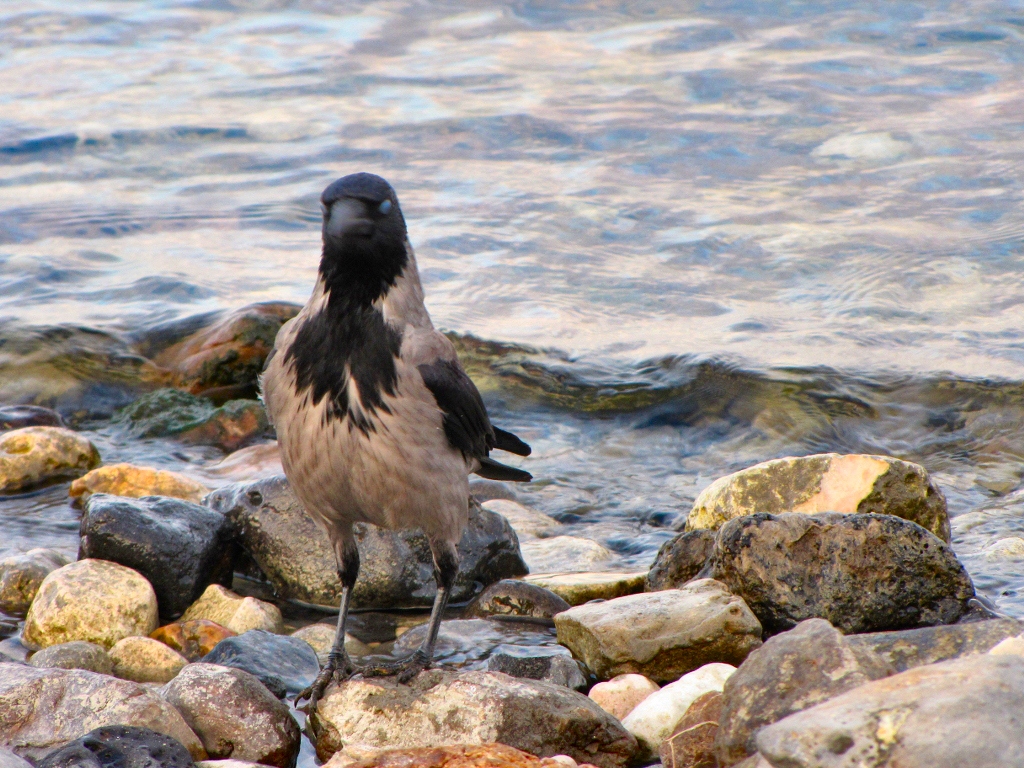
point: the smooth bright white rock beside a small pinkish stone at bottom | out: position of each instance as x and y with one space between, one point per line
654 719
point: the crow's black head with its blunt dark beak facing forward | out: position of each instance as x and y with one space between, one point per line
364 239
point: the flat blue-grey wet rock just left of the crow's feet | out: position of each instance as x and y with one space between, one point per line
285 665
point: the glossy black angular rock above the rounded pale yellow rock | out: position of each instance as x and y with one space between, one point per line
180 547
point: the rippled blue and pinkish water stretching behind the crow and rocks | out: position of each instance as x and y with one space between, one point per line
692 237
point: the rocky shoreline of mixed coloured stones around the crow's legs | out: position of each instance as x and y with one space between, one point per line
810 613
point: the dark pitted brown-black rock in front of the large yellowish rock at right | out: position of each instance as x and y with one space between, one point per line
861 573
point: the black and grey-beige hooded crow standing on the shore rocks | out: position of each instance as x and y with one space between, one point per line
377 420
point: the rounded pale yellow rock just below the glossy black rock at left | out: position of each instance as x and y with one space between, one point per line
93 601
